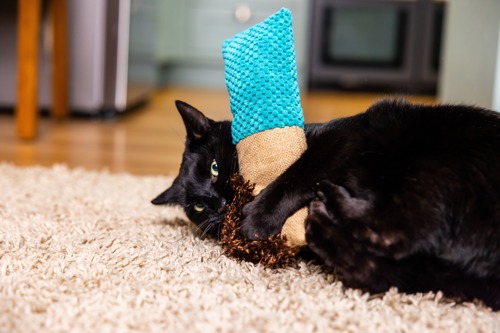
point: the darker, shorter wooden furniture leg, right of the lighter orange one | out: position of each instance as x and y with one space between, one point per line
59 58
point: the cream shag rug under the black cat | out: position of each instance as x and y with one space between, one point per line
85 251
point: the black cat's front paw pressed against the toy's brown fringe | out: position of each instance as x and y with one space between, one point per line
257 224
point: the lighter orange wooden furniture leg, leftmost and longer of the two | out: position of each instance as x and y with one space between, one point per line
27 68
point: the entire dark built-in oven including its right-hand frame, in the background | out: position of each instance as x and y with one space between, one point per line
386 45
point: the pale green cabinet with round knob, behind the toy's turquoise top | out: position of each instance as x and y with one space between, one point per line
190 34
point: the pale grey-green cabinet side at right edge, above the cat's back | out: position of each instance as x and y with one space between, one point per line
471 59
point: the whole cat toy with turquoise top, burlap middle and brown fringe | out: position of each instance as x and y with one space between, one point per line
267 129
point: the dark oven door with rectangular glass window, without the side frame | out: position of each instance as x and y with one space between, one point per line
363 42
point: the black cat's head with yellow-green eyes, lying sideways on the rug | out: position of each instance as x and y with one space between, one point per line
209 159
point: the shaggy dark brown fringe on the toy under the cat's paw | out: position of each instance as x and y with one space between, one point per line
272 252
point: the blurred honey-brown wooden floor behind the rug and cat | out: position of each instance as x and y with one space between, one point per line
149 140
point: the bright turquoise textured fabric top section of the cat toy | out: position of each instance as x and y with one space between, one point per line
261 77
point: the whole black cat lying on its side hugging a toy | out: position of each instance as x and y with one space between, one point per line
401 195
